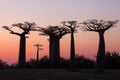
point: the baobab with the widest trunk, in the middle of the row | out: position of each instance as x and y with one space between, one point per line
55 33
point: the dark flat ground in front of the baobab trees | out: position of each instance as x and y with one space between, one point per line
58 74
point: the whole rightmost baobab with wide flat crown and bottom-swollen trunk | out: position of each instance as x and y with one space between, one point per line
99 26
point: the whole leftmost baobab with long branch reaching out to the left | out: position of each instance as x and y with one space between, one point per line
26 27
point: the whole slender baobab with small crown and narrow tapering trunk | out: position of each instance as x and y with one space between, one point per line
72 25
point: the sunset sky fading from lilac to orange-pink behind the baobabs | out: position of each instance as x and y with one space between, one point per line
52 12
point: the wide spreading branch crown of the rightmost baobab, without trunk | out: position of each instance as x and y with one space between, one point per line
97 25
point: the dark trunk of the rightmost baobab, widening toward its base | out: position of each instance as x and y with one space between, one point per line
100 62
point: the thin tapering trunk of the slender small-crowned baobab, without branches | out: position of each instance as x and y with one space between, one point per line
72 50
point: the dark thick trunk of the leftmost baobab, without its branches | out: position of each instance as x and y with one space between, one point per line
22 52
